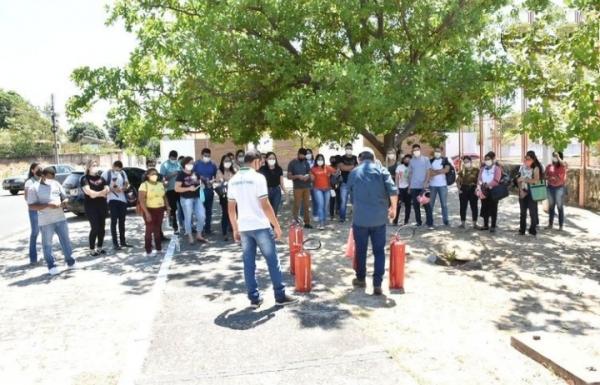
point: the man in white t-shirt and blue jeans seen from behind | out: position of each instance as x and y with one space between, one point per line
251 218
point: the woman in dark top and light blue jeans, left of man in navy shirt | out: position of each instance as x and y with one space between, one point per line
191 197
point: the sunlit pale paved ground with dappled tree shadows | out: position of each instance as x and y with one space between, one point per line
119 318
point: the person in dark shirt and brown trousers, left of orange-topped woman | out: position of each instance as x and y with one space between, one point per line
299 173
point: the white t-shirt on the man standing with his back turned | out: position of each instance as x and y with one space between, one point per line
246 188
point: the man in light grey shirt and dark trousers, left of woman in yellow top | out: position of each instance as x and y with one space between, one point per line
117 202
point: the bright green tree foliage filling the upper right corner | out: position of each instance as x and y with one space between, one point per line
558 66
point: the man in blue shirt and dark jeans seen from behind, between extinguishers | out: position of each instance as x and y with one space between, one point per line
374 199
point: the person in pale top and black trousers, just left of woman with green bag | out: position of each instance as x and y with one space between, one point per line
489 177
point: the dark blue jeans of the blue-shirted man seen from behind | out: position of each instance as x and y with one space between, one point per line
361 238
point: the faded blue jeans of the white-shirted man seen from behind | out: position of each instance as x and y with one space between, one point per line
265 241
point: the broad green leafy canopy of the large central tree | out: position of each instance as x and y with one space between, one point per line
328 70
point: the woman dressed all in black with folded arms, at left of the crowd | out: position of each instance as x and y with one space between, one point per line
95 189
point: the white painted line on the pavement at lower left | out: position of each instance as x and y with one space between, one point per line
148 308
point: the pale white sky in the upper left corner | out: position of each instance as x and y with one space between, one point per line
43 41
